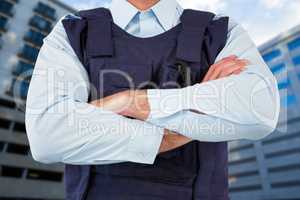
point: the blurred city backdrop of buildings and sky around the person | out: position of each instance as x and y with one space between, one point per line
268 169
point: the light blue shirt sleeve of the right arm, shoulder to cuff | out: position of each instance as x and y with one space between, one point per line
249 102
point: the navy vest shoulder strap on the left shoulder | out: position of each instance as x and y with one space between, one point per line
89 33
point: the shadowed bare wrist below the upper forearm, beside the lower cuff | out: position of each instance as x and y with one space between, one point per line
172 141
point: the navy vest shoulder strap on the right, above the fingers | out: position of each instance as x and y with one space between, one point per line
201 31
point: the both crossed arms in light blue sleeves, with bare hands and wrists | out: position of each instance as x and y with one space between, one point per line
62 126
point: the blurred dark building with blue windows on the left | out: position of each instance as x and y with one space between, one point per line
23 25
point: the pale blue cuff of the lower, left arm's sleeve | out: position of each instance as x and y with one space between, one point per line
144 146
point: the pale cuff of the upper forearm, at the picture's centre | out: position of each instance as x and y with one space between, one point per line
165 102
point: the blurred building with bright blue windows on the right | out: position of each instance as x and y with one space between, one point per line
270 169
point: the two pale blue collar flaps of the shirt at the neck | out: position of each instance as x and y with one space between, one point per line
165 11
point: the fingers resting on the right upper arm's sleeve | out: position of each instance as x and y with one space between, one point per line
226 67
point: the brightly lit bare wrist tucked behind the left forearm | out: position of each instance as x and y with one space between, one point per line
132 103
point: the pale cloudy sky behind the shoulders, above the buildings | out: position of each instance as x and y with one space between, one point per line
263 19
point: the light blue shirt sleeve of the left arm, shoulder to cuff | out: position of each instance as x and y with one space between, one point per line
63 127
